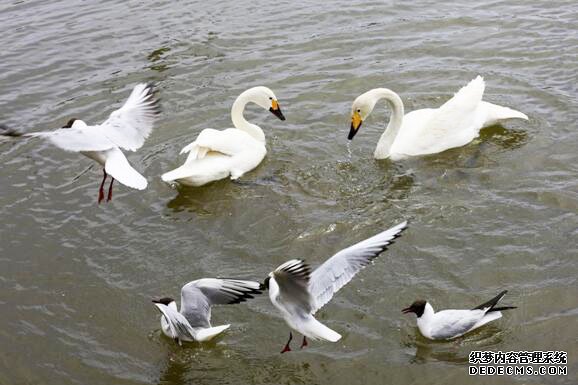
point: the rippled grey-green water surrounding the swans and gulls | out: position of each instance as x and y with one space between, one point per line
76 278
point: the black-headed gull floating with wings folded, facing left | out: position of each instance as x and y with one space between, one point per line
451 323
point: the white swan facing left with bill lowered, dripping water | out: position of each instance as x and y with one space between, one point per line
431 130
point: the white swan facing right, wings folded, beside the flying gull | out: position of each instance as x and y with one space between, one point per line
232 152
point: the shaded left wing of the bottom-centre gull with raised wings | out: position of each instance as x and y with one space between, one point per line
292 277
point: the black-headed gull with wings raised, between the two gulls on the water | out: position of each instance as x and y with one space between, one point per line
299 294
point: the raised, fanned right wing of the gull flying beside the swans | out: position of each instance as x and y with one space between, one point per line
130 125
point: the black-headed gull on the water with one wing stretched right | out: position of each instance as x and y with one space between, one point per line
193 321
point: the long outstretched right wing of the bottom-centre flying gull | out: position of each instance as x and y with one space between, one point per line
338 270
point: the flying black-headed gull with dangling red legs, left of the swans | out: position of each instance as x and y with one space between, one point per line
126 128
